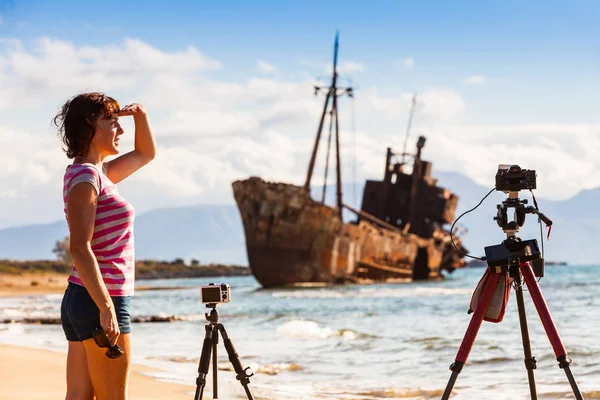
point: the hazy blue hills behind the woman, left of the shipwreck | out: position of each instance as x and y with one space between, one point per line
209 233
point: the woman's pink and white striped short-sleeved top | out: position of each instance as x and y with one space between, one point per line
112 242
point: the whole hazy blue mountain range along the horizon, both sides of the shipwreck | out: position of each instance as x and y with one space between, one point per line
214 232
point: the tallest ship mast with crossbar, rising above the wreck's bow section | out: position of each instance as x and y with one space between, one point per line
332 94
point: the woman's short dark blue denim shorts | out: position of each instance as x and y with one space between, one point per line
80 316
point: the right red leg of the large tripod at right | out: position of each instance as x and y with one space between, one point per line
563 359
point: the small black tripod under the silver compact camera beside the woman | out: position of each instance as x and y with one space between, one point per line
210 346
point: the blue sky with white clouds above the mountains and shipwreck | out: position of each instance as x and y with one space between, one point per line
229 91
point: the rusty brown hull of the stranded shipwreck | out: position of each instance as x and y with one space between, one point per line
293 240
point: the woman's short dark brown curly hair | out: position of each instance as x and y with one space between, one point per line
76 120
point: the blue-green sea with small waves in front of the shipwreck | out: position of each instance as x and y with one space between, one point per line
359 342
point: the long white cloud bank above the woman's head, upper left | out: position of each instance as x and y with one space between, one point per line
53 67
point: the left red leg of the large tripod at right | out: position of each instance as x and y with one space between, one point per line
472 329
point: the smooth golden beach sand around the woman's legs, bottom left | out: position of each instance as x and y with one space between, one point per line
29 374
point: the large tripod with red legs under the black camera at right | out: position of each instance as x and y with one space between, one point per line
512 257
